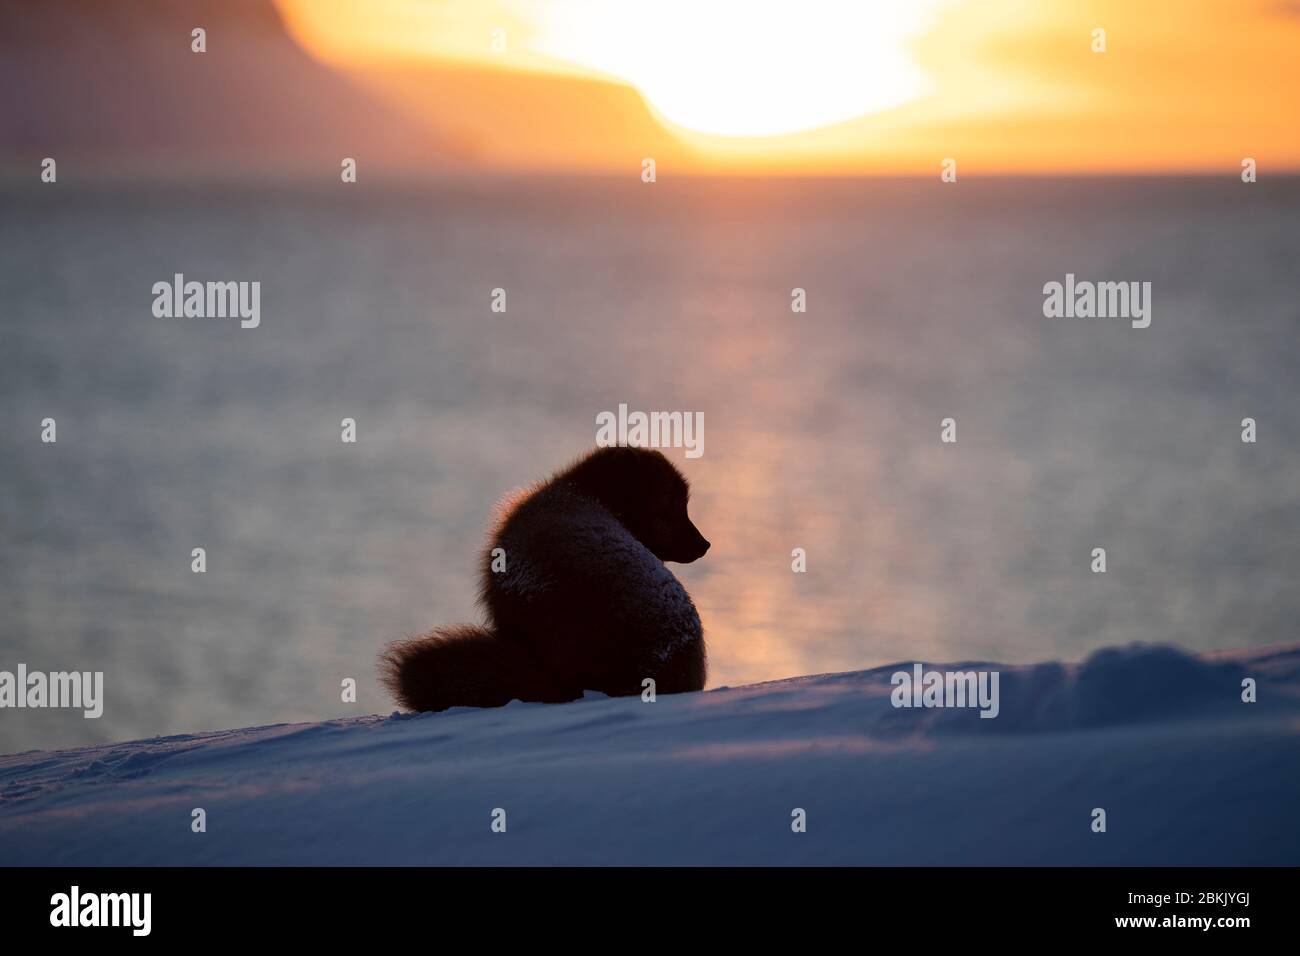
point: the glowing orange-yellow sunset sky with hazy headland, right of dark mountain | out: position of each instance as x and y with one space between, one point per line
1002 86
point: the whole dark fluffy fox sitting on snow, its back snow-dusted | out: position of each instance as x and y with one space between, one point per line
577 599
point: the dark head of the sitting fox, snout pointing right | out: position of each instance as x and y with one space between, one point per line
647 495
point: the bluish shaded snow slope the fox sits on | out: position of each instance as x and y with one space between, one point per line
1188 773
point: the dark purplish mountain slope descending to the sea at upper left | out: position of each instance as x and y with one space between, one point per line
116 85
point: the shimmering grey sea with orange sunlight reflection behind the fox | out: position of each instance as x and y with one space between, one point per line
822 429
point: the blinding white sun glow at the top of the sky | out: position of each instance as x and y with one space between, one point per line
747 68
